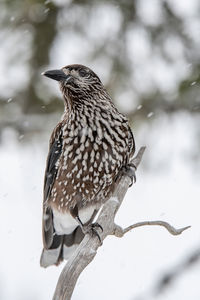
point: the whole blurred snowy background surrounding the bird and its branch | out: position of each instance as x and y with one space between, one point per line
147 55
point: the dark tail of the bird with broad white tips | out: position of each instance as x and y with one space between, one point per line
62 249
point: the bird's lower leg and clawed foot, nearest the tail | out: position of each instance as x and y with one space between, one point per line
89 228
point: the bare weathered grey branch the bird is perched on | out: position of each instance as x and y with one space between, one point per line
87 250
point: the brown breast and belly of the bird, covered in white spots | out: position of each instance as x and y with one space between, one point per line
92 156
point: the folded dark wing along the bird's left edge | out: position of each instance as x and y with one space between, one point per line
55 150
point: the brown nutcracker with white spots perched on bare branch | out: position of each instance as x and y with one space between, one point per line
88 149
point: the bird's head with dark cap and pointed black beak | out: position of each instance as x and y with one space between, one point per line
75 78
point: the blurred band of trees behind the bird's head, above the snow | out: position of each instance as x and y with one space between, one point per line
146 52
